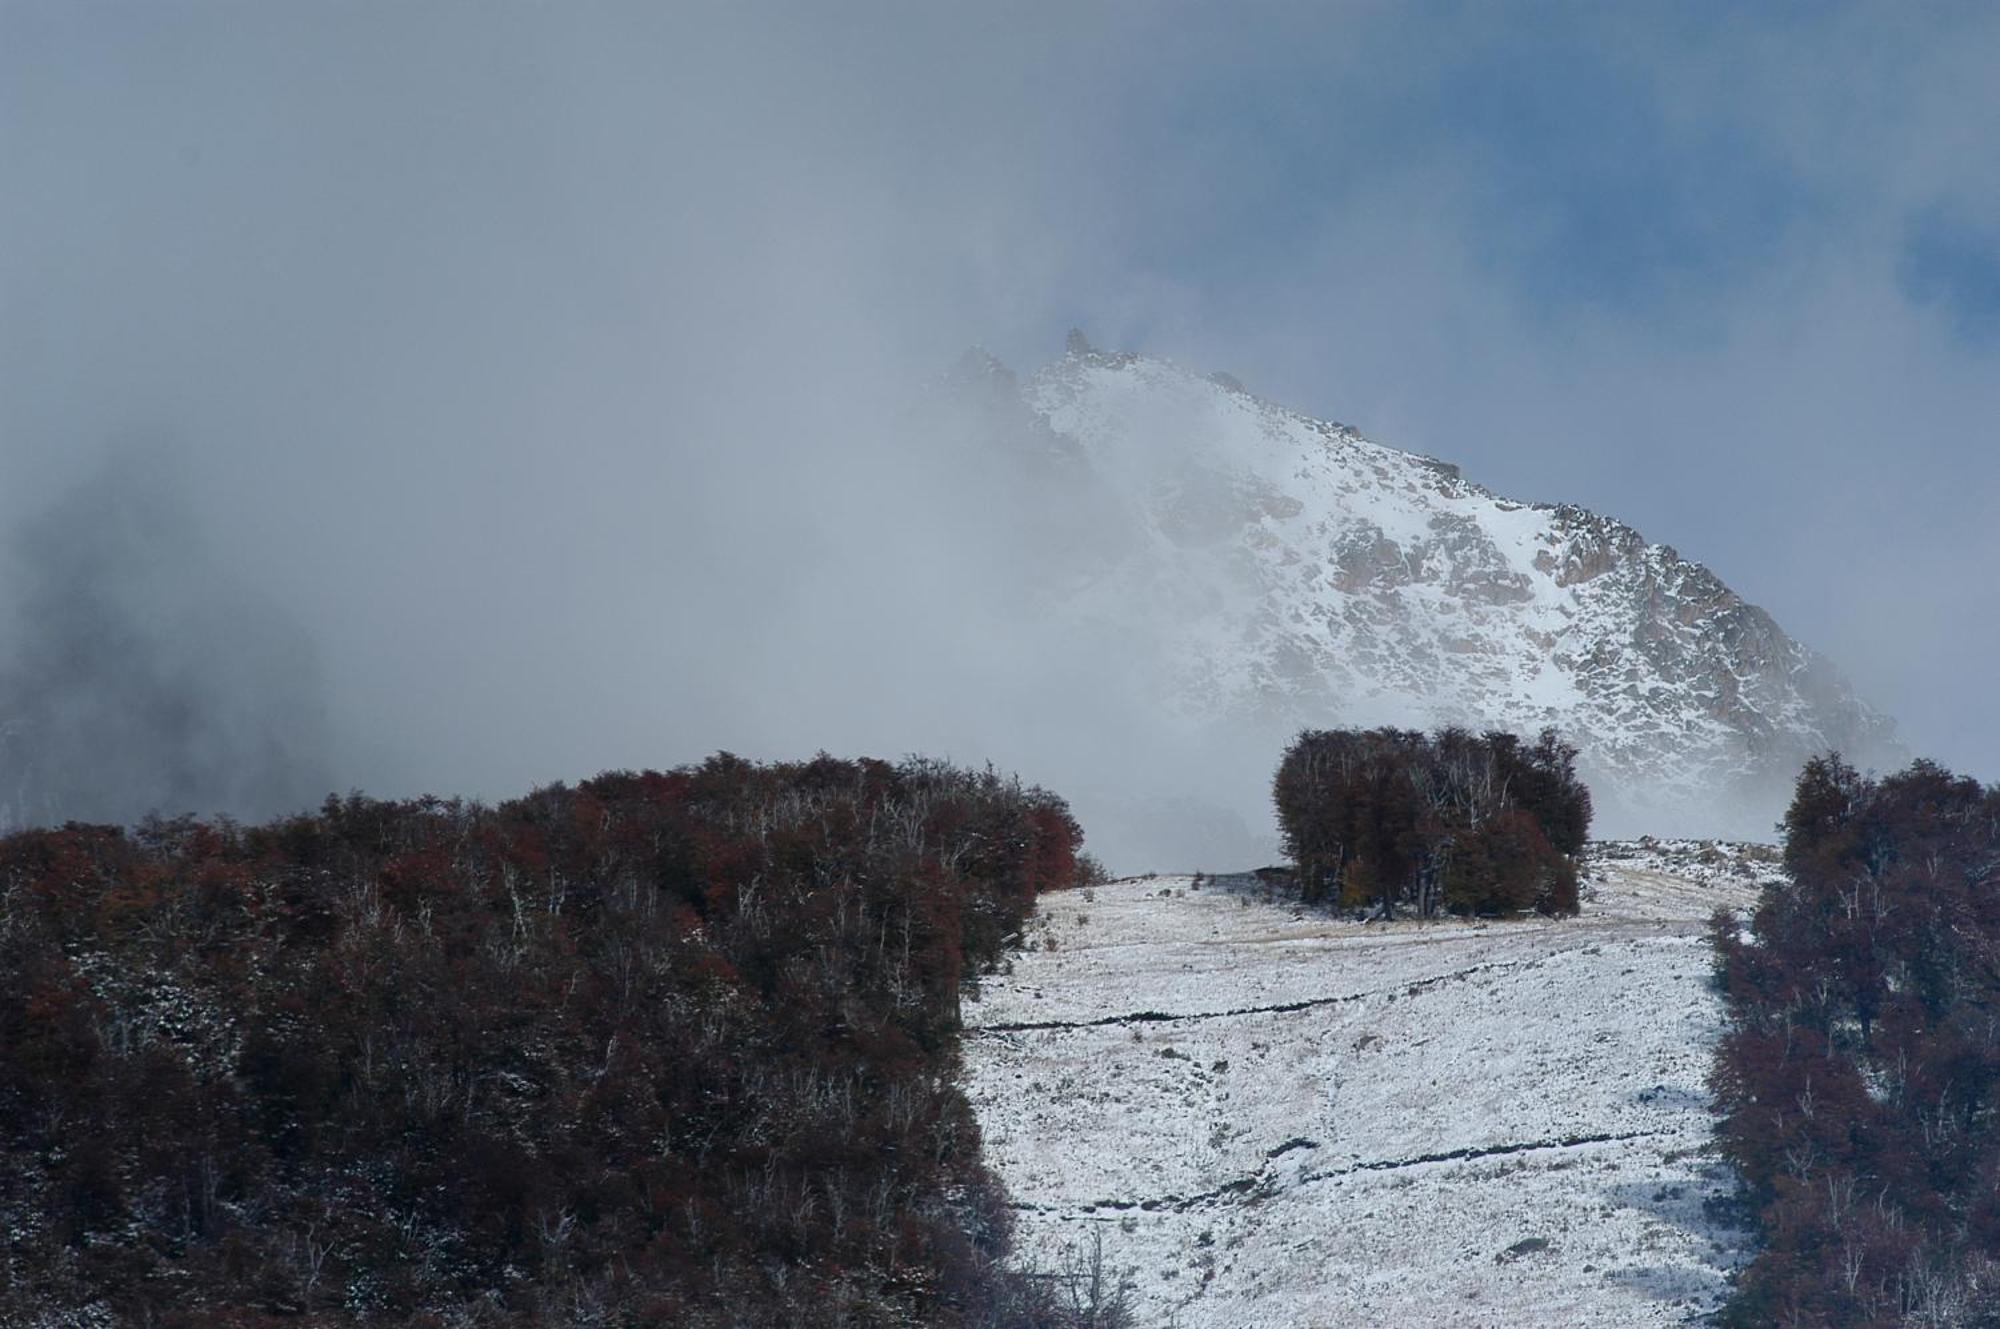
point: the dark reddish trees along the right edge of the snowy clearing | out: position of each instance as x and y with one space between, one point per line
1861 1070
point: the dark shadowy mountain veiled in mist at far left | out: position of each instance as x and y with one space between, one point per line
139 676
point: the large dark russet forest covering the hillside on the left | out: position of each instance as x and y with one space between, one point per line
659 1050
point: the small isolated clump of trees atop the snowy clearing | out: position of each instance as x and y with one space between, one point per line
1451 822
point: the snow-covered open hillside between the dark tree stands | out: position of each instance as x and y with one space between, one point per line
1275 1118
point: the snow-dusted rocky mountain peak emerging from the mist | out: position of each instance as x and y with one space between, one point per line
1293 573
